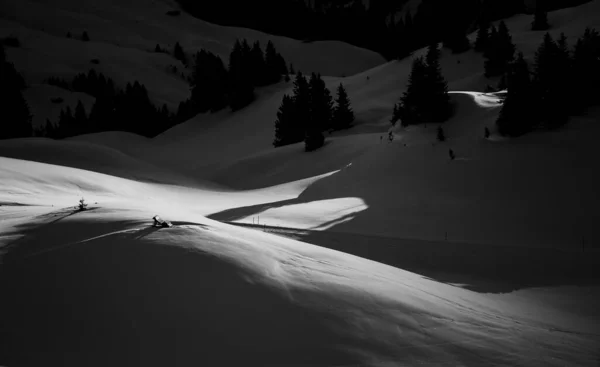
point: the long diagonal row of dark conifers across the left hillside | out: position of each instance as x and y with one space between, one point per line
213 88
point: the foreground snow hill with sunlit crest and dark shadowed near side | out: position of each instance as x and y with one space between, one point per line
206 292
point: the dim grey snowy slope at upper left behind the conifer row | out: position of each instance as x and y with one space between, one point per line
123 36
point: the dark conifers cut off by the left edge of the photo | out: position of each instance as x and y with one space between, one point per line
16 116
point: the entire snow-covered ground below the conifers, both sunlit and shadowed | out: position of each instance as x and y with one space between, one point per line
369 253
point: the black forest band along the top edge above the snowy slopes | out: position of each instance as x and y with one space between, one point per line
380 30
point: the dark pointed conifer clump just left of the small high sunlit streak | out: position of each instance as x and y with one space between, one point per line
426 98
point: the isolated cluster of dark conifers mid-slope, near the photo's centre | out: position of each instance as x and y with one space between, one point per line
310 111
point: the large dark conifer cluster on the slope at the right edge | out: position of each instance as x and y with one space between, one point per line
563 82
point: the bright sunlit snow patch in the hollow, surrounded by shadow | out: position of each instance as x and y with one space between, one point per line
315 215
